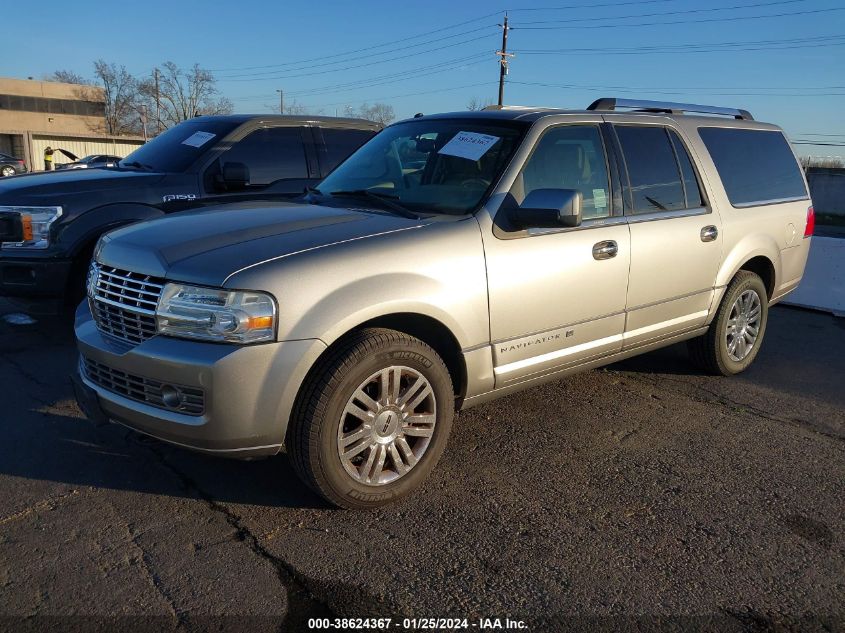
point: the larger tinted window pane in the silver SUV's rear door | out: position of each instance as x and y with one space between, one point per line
655 179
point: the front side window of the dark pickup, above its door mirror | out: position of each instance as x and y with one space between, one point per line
271 154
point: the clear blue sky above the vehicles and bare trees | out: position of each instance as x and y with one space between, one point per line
783 60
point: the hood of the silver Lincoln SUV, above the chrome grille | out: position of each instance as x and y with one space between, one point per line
207 246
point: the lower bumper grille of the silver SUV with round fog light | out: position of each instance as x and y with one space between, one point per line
187 400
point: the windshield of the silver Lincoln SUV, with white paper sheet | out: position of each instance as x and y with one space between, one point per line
436 165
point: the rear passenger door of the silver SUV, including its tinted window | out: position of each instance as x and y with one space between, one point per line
676 241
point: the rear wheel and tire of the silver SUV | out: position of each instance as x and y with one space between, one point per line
715 352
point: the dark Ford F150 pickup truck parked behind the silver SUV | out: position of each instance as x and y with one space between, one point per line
50 222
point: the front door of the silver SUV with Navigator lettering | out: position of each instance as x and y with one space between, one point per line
556 297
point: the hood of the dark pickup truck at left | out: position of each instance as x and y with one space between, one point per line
56 188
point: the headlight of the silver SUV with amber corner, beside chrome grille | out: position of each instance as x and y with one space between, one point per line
237 316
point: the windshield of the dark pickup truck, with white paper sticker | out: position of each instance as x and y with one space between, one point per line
177 148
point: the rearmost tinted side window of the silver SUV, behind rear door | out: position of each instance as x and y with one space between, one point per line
756 166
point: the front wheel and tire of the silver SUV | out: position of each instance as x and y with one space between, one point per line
410 423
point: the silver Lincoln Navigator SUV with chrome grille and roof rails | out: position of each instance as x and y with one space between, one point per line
451 260
